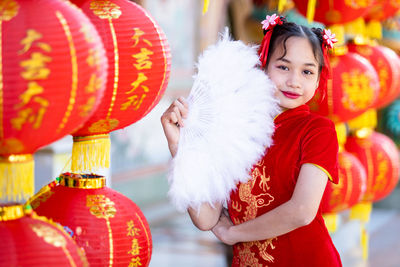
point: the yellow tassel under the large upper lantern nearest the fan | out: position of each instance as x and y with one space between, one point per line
90 153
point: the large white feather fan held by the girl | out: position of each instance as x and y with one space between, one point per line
228 127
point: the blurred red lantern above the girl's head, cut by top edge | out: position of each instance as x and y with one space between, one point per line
336 12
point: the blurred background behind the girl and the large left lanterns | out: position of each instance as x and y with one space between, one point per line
140 156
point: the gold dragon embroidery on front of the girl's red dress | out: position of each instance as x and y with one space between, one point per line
245 255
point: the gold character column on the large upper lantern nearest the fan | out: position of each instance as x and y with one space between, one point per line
142 62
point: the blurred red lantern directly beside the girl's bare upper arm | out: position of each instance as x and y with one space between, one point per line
351 187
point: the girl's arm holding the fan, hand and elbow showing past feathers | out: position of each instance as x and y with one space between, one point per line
172 119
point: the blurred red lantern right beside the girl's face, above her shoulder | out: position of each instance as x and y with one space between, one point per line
353 89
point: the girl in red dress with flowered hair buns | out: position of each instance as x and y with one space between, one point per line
275 219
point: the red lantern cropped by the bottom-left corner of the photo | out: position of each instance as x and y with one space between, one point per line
31 240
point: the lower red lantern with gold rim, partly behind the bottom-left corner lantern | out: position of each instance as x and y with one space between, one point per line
109 226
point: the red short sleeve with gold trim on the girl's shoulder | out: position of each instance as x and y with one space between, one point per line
320 147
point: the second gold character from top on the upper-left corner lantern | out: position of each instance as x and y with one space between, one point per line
35 67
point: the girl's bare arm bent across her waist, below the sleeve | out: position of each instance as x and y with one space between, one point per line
299 211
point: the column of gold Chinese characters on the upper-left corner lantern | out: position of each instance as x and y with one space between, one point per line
32 105
